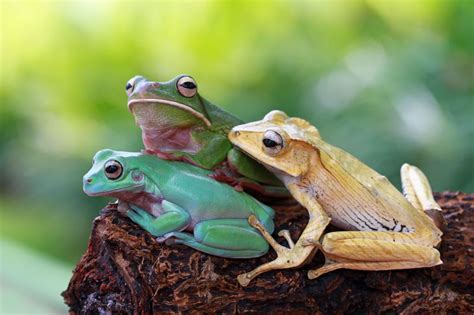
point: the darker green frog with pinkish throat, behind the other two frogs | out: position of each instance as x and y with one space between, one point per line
177 123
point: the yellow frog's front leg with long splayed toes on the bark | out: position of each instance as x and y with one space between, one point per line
299 252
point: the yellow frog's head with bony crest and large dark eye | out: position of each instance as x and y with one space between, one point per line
277 141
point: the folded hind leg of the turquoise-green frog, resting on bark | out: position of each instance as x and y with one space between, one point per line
232 238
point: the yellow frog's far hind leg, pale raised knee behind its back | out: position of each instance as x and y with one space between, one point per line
417 191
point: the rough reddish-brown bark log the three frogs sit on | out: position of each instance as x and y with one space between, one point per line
124 270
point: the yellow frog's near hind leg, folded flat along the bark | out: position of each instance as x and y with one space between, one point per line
374 251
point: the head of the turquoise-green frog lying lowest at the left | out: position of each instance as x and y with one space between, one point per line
113 173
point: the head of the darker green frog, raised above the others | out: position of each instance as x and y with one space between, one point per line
172 104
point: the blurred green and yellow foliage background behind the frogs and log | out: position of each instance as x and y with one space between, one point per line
389 81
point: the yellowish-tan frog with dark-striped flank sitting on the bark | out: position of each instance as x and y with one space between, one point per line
380 228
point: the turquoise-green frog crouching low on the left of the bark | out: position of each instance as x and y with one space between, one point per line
178 203
